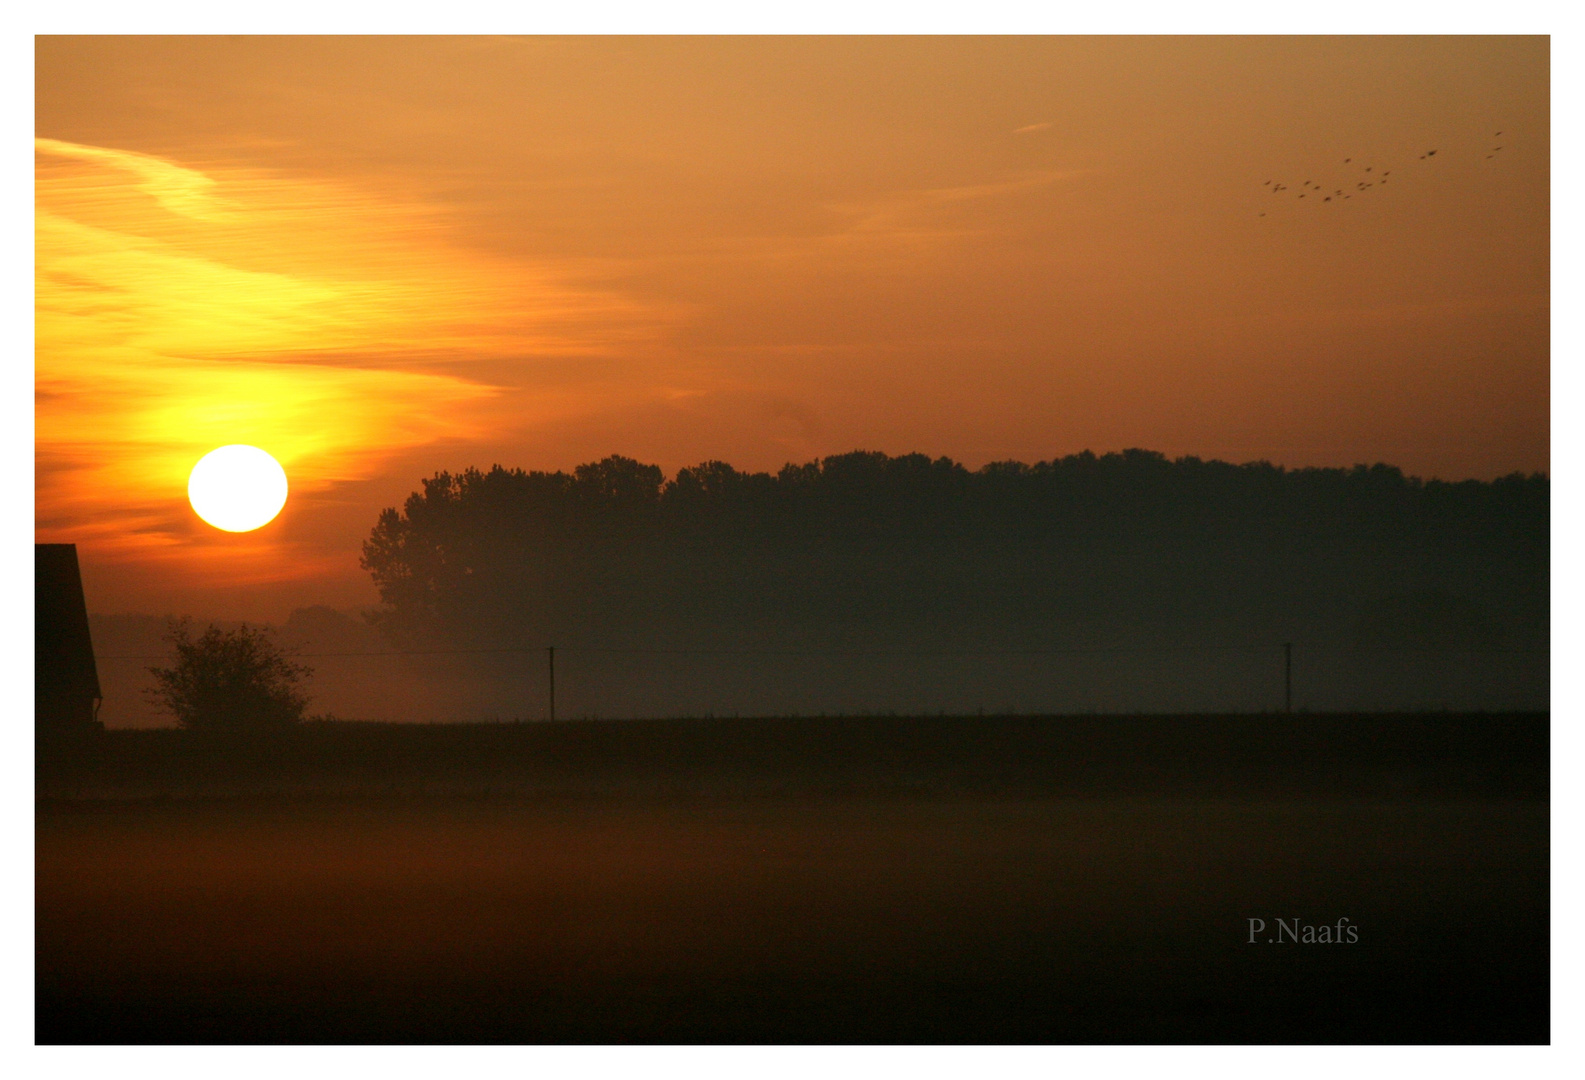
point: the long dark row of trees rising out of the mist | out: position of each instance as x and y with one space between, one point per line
866 550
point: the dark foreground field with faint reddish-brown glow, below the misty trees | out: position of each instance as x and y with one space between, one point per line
990 879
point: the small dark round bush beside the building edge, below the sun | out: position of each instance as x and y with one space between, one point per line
231 681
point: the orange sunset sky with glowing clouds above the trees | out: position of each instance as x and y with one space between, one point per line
383 258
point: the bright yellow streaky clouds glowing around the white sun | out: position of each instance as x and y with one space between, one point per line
181 308
